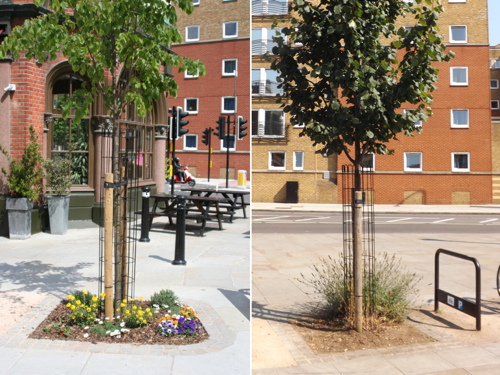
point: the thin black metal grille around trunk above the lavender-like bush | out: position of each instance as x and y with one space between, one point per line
368 233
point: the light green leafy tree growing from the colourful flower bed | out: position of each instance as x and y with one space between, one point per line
120 48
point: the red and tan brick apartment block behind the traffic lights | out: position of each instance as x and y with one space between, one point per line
217 33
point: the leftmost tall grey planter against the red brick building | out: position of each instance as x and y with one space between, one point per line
19 214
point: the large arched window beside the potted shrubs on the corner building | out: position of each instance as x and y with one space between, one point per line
66 138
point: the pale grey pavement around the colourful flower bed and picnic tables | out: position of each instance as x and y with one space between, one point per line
215 282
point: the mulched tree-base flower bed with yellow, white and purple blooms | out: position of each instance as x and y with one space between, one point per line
136 321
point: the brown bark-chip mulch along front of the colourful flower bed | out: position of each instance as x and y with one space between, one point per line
57 327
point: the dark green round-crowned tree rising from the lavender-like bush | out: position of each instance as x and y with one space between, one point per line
346 68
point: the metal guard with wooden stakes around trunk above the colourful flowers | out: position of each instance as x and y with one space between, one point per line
121 258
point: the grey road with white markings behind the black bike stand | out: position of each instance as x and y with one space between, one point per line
323 222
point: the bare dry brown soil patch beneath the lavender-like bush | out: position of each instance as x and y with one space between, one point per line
325 336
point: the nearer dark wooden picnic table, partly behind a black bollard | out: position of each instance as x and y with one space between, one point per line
199 208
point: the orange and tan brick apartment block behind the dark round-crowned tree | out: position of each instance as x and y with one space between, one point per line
450 162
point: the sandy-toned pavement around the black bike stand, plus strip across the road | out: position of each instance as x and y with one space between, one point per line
280 262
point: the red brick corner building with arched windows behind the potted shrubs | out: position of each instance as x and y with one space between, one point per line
31 94
